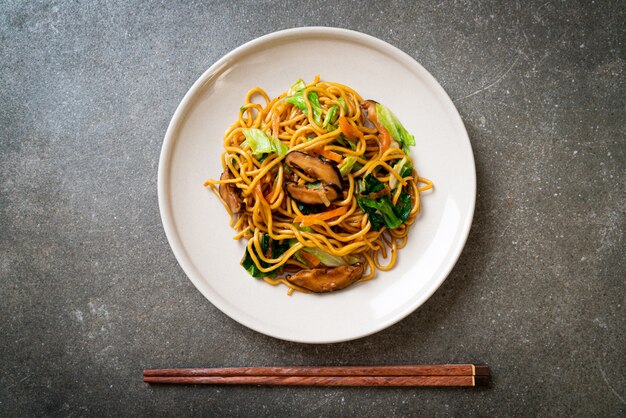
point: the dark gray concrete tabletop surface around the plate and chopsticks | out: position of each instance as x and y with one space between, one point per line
90 293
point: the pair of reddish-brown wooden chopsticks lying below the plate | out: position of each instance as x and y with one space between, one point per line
466 375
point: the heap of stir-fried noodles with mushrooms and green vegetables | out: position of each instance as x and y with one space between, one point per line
320 184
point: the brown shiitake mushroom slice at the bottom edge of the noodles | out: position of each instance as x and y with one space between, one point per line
327 279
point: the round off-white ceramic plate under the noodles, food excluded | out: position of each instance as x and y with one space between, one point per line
197 226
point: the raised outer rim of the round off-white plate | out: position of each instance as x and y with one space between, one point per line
164 169
